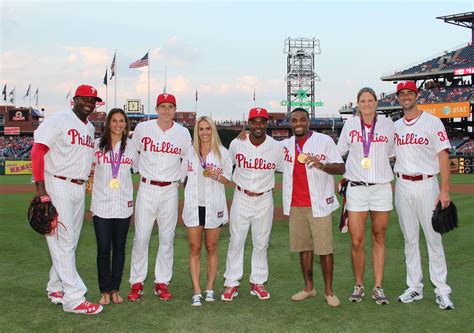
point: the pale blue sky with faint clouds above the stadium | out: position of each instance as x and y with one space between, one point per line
223 49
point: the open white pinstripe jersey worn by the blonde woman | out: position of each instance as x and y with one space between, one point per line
216 203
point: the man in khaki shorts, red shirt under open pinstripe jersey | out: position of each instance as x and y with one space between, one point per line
310 159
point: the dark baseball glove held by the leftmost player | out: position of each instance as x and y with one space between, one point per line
42 215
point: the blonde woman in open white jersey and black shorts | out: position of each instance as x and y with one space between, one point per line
208 167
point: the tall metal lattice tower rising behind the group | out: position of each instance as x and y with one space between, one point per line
300 75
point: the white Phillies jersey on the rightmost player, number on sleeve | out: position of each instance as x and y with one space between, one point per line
417 144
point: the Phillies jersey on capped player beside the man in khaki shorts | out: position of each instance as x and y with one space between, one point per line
255 166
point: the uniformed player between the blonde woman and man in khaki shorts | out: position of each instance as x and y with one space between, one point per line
255 162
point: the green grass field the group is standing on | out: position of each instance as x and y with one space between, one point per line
25 265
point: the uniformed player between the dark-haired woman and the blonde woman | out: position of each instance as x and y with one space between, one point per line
162 144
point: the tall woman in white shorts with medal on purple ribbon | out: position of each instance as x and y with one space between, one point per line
368 139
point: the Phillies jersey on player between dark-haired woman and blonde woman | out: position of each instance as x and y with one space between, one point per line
161 152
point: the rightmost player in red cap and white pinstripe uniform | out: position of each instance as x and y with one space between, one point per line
421 148
